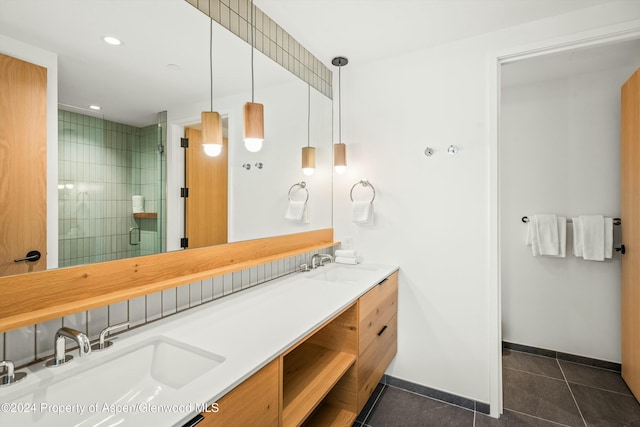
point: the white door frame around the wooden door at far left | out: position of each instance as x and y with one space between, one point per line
48 60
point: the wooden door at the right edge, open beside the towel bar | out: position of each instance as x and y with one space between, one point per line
630 194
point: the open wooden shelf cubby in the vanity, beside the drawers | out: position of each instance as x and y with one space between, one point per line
310 372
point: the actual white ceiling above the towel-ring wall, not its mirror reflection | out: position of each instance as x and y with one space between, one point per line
367 30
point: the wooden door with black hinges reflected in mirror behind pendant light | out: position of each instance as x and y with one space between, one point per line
206 206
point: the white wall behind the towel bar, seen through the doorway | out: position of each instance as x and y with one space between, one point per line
560 152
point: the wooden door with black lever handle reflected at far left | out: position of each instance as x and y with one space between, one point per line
23 164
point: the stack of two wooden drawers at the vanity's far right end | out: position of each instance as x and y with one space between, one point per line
378 325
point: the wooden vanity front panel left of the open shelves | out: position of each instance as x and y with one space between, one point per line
252 403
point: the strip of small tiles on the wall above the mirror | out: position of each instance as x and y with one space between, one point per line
270 39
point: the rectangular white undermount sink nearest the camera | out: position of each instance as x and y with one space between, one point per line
151 372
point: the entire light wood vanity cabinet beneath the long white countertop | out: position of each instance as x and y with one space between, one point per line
327 377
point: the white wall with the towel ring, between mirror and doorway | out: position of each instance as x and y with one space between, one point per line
432 214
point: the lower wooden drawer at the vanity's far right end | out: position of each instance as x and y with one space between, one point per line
375 360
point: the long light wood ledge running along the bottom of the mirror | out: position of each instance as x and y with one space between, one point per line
38 297
